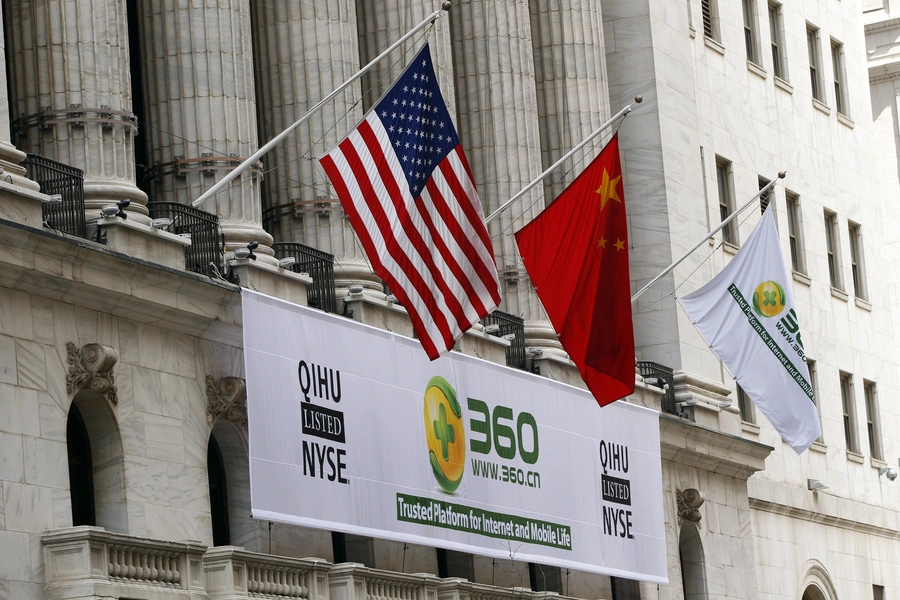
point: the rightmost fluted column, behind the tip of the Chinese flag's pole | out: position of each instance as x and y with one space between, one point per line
571 83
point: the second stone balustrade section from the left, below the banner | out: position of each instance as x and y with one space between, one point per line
232 572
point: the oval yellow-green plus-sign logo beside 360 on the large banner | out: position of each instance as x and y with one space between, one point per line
444 431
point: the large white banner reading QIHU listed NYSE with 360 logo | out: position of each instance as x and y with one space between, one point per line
352 429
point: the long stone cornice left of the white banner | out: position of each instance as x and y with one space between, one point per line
82 272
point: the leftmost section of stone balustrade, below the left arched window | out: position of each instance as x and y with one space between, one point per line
89 562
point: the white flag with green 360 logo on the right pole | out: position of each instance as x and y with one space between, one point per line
746 314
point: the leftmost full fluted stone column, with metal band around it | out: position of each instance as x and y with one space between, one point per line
71 91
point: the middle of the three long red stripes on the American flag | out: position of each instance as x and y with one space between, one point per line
392 246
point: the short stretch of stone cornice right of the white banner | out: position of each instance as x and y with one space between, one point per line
687 443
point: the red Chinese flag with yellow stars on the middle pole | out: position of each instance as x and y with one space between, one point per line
576 253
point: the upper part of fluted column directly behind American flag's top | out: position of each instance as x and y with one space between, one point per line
384 22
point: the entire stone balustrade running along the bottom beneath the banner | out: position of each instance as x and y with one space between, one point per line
90 562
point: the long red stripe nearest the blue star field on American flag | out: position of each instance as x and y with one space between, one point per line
412 234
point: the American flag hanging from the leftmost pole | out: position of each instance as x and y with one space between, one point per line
405 184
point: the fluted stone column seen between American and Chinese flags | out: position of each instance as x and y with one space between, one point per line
498 127
